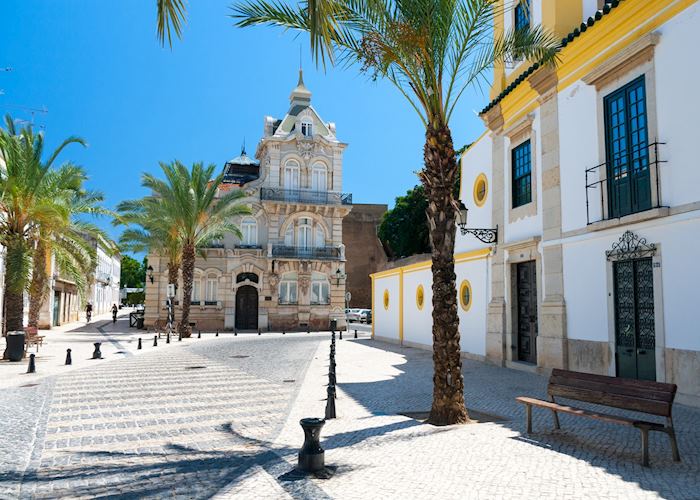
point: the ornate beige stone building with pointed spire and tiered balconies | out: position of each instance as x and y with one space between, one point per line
287 272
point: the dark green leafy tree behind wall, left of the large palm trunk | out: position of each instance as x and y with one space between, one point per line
404 228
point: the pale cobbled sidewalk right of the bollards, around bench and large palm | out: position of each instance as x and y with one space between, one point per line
380 453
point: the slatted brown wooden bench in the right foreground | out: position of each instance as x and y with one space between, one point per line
653 398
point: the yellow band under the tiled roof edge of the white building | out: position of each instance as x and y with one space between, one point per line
627 23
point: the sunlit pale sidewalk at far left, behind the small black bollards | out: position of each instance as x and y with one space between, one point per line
118 341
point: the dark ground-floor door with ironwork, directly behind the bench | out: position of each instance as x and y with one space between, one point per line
635 337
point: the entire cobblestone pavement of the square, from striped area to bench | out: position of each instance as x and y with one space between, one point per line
220 418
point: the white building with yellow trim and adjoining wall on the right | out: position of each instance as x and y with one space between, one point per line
588 173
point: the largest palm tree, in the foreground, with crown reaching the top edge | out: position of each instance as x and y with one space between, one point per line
431 51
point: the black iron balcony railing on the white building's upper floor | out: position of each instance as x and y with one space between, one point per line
627 185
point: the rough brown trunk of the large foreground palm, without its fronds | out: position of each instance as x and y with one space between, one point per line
438 177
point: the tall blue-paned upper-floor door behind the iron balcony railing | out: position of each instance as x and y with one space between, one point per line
626 144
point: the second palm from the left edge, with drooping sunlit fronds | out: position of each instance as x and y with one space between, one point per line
65 236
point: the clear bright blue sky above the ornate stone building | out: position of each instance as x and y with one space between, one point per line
98 69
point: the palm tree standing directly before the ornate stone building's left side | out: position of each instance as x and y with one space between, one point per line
188 199
